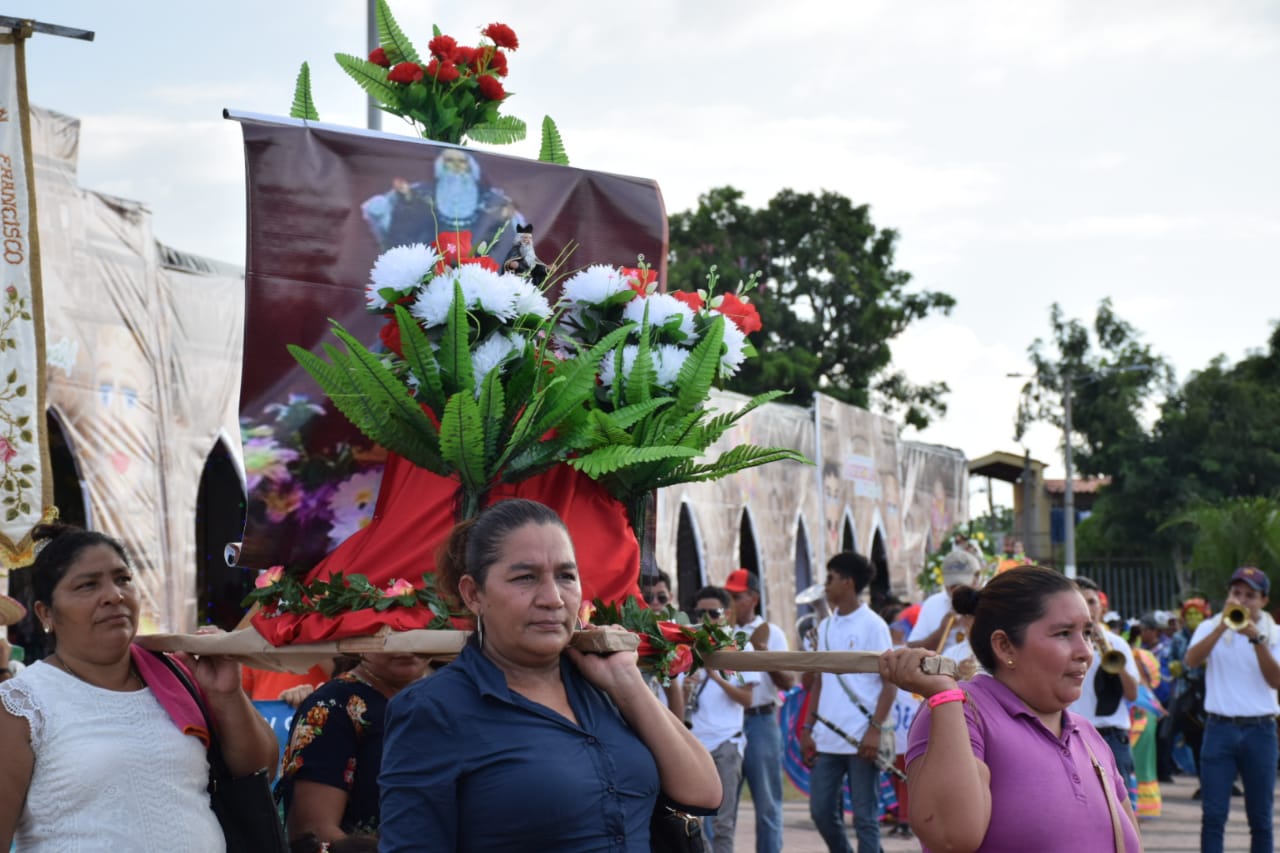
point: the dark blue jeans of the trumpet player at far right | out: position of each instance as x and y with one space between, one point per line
1228 750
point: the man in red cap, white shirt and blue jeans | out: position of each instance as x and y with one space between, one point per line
762 765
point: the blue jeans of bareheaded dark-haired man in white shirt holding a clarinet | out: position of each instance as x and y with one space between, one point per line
826 801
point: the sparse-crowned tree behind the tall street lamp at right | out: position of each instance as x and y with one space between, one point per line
1112 377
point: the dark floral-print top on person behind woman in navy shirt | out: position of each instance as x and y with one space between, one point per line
337 740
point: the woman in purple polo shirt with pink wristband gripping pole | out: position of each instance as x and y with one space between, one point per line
1003 765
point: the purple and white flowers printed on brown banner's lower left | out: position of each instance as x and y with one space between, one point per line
323 498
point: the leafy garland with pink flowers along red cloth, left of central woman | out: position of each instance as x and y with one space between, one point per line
278 592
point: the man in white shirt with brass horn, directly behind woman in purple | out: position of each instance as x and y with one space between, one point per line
1105 697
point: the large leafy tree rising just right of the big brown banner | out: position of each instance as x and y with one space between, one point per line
831 299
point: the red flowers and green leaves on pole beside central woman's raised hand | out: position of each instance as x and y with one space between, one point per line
670 645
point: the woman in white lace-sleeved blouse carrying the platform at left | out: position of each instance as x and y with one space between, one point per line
93 761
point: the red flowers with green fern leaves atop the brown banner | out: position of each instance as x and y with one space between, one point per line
456 94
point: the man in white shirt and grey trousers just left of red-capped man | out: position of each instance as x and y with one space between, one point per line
716 703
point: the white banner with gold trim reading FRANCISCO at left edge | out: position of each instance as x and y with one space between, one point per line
26 489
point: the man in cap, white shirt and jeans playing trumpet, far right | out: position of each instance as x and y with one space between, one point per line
1242 676
